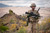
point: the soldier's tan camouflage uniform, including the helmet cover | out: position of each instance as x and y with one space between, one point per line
34 23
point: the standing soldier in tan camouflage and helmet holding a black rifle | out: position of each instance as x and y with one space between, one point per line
35 12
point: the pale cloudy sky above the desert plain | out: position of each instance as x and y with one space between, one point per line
15 3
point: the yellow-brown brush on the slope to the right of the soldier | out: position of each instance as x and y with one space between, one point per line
44 26
